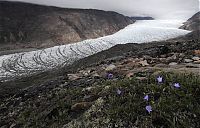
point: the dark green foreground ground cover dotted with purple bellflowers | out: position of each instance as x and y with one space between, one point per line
174 102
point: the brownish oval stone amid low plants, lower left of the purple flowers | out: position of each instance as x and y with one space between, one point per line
81 106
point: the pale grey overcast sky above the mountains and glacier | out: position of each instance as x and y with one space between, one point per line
156 8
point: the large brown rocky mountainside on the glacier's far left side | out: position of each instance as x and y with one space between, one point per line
26 25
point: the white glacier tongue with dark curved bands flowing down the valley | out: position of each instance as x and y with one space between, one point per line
27 63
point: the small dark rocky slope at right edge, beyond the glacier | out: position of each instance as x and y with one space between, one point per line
193 23
